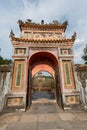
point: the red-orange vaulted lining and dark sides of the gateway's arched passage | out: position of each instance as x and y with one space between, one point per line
43 61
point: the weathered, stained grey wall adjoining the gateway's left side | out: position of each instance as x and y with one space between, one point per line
5 82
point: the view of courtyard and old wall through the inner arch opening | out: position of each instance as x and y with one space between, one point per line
43 87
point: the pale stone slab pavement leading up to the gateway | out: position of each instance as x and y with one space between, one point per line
44 116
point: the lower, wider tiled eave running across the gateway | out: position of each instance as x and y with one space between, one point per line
42 40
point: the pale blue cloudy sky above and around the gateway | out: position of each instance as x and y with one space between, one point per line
74 11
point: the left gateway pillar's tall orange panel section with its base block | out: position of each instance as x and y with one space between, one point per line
17 96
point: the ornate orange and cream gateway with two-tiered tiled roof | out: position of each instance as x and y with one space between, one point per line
42 47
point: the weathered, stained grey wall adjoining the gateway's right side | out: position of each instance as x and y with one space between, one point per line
81 81
